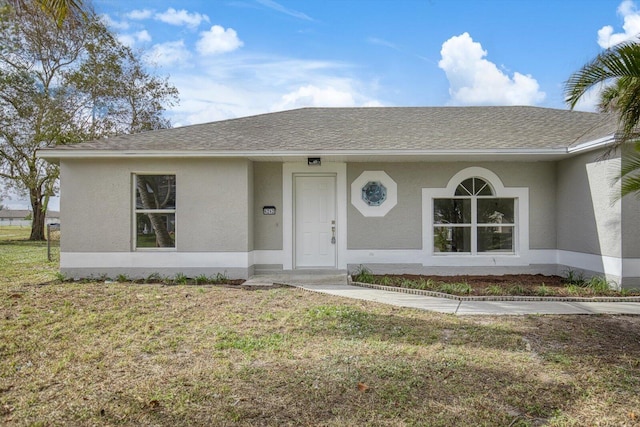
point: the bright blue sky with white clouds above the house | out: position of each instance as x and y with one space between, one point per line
233 58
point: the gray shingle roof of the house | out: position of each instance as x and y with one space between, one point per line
386 128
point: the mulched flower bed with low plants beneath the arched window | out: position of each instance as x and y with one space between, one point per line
508 285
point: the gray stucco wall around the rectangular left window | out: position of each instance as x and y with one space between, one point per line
212 196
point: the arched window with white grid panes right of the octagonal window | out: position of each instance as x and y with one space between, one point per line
473 220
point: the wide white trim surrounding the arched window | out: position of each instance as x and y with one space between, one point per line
521 231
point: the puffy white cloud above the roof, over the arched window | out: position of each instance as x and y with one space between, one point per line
474 80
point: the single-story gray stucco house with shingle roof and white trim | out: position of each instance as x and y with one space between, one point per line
434 190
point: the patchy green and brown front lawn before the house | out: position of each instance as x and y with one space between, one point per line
103 354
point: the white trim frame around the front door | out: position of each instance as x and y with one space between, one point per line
289 171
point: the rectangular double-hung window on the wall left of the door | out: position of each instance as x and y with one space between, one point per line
155 211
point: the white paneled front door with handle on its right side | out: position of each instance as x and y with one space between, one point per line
315 221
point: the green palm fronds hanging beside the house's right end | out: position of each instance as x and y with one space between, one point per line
618 70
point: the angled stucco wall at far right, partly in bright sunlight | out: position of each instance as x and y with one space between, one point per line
589 218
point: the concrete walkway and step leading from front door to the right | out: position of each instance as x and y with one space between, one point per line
336 284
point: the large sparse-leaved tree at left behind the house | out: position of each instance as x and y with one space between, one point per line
63 82
